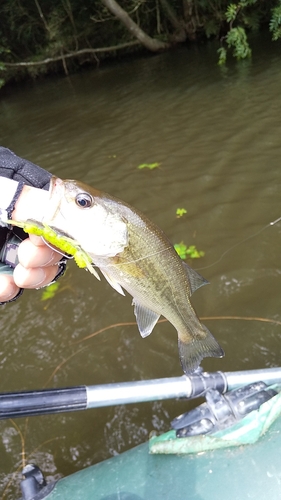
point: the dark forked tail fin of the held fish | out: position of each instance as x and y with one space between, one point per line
193 349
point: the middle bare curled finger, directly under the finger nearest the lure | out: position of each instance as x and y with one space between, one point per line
34 277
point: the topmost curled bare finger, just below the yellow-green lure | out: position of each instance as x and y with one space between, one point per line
32 255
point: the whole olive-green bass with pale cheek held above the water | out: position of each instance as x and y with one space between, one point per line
134 254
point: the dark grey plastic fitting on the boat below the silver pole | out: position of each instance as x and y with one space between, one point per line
221 411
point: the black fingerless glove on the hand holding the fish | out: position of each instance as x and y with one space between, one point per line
18 169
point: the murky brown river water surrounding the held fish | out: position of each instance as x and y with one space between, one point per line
217 137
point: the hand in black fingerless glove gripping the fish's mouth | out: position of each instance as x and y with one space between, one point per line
30 263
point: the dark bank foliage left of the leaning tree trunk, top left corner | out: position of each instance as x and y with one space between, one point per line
33 30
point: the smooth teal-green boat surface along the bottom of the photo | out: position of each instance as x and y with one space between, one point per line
240 473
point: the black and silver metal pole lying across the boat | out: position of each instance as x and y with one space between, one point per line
58 400
